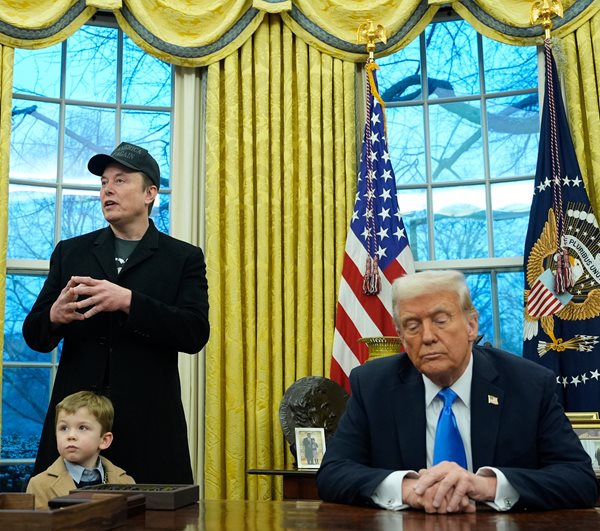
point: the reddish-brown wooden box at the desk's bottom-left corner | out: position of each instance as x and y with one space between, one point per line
102 511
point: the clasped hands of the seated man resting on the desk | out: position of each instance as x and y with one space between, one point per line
447 488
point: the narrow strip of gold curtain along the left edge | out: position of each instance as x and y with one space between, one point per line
6 73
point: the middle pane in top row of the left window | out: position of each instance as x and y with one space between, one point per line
91 65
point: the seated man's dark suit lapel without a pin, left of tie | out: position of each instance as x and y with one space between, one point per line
409 397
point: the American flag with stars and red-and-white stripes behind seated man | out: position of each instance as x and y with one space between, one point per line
377 249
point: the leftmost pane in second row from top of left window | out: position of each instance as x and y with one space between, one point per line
34 140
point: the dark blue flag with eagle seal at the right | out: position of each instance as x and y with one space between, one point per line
562 253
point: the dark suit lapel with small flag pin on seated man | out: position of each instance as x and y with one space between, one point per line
487 401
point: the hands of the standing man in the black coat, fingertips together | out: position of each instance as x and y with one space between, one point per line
99 296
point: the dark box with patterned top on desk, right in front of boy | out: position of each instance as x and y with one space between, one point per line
158 497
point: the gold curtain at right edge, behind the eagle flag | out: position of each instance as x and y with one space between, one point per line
579 65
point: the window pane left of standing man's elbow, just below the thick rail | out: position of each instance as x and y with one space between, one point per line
21 292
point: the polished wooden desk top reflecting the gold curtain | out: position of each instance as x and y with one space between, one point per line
214 515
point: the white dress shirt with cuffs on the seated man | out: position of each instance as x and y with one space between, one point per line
388 493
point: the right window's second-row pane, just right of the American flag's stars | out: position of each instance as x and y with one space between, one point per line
406 140
